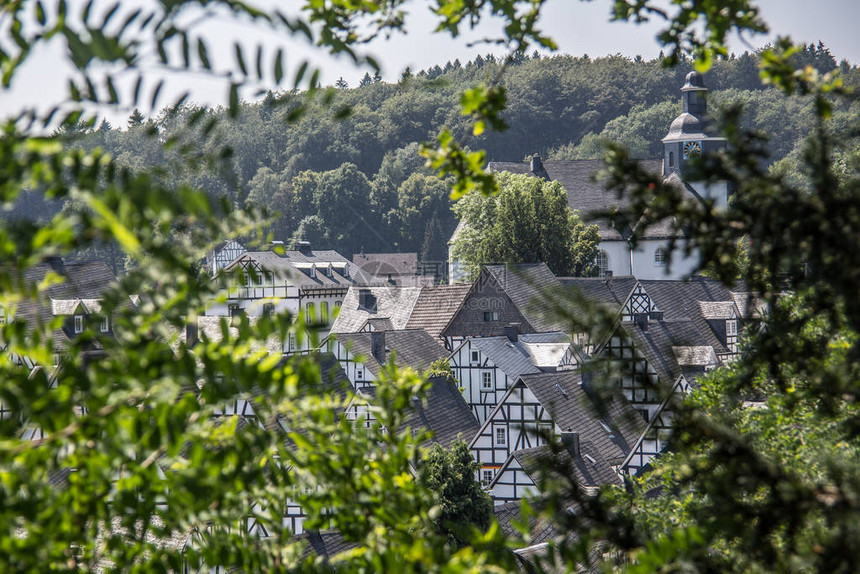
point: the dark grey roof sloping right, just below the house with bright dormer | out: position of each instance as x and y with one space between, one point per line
571 407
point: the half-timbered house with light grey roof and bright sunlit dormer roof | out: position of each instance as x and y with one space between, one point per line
487 366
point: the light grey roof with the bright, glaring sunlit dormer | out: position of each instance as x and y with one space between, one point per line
527 355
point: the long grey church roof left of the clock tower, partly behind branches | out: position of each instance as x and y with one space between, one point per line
587 196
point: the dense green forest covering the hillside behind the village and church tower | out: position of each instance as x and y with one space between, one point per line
345 173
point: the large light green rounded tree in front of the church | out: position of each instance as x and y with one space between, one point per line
527 222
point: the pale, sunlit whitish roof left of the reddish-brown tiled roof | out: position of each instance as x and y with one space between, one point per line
392 303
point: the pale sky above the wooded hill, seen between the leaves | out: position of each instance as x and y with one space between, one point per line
578 28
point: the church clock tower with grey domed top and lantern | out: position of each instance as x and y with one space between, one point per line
689 134
